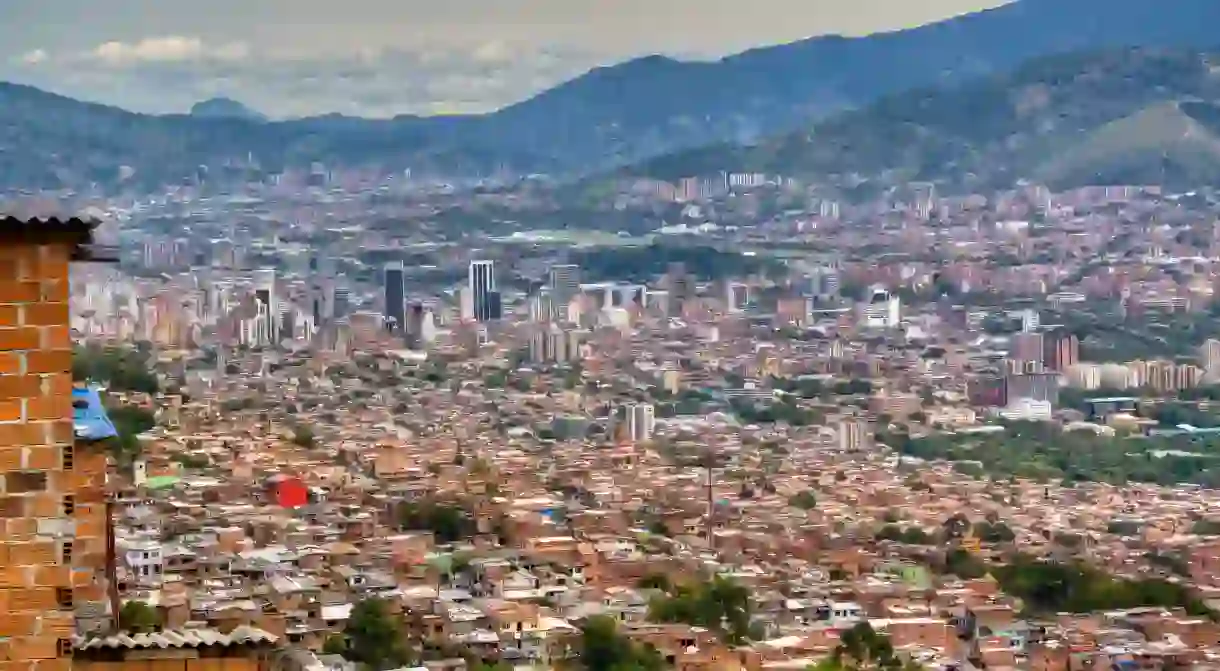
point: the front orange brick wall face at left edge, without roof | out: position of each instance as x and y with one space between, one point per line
38 479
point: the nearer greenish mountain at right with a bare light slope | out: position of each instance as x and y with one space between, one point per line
1130 117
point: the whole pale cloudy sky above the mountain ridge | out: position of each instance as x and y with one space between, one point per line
382 58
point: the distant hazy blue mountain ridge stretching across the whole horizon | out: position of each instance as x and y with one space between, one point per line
607 118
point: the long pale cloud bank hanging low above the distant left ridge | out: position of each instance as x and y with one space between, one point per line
171 74
